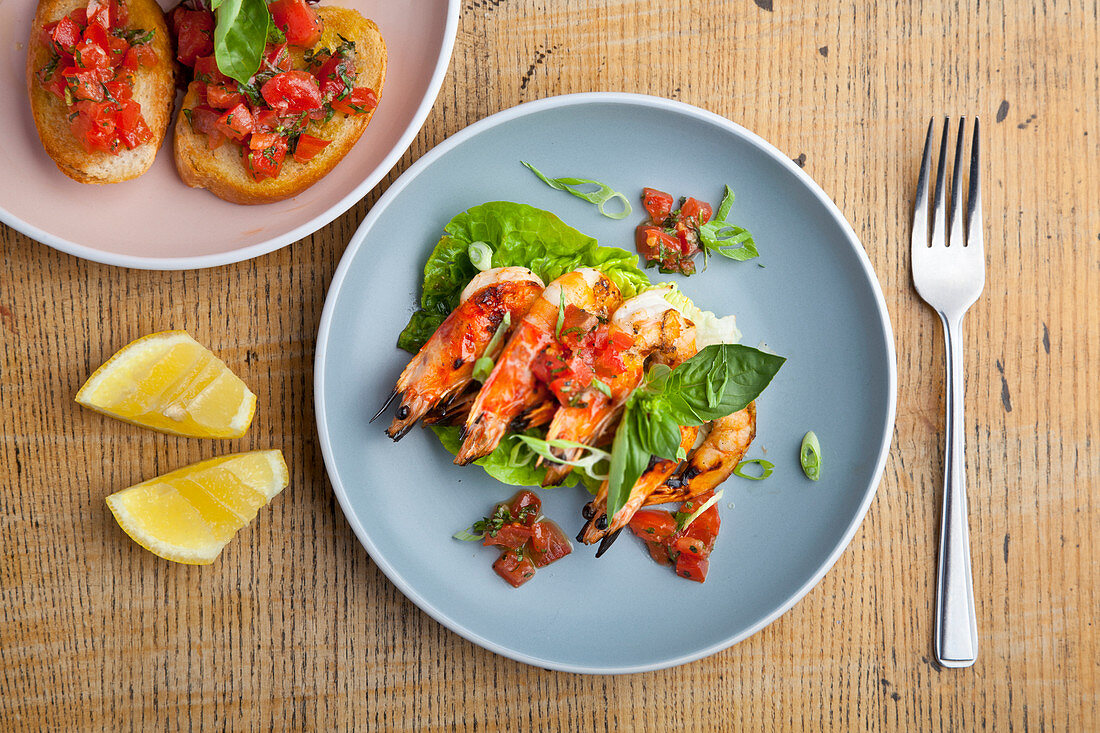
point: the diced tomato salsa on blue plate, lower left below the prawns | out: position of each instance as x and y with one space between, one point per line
527 541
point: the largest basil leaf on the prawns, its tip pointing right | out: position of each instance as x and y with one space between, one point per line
746 371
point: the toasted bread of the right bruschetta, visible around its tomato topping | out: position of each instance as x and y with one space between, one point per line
222 171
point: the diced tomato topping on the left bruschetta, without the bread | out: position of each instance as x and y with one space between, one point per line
93 63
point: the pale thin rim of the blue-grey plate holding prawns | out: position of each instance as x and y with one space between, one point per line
533 108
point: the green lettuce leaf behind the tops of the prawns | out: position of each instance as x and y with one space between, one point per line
520 236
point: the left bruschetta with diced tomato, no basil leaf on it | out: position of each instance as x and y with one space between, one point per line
102 82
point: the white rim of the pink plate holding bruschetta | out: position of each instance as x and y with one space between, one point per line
318 223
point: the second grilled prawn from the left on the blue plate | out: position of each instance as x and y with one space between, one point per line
512 389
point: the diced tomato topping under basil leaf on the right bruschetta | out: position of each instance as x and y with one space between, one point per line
296 86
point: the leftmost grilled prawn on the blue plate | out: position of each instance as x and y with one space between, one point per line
444 367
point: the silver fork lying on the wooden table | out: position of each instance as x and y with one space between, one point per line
950 272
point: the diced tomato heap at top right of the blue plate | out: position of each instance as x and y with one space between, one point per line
670 238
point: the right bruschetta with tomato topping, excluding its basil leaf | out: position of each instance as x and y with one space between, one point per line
317 87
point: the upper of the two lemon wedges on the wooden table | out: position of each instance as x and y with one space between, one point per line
172 384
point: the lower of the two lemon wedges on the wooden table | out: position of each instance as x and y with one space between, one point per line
189 516
